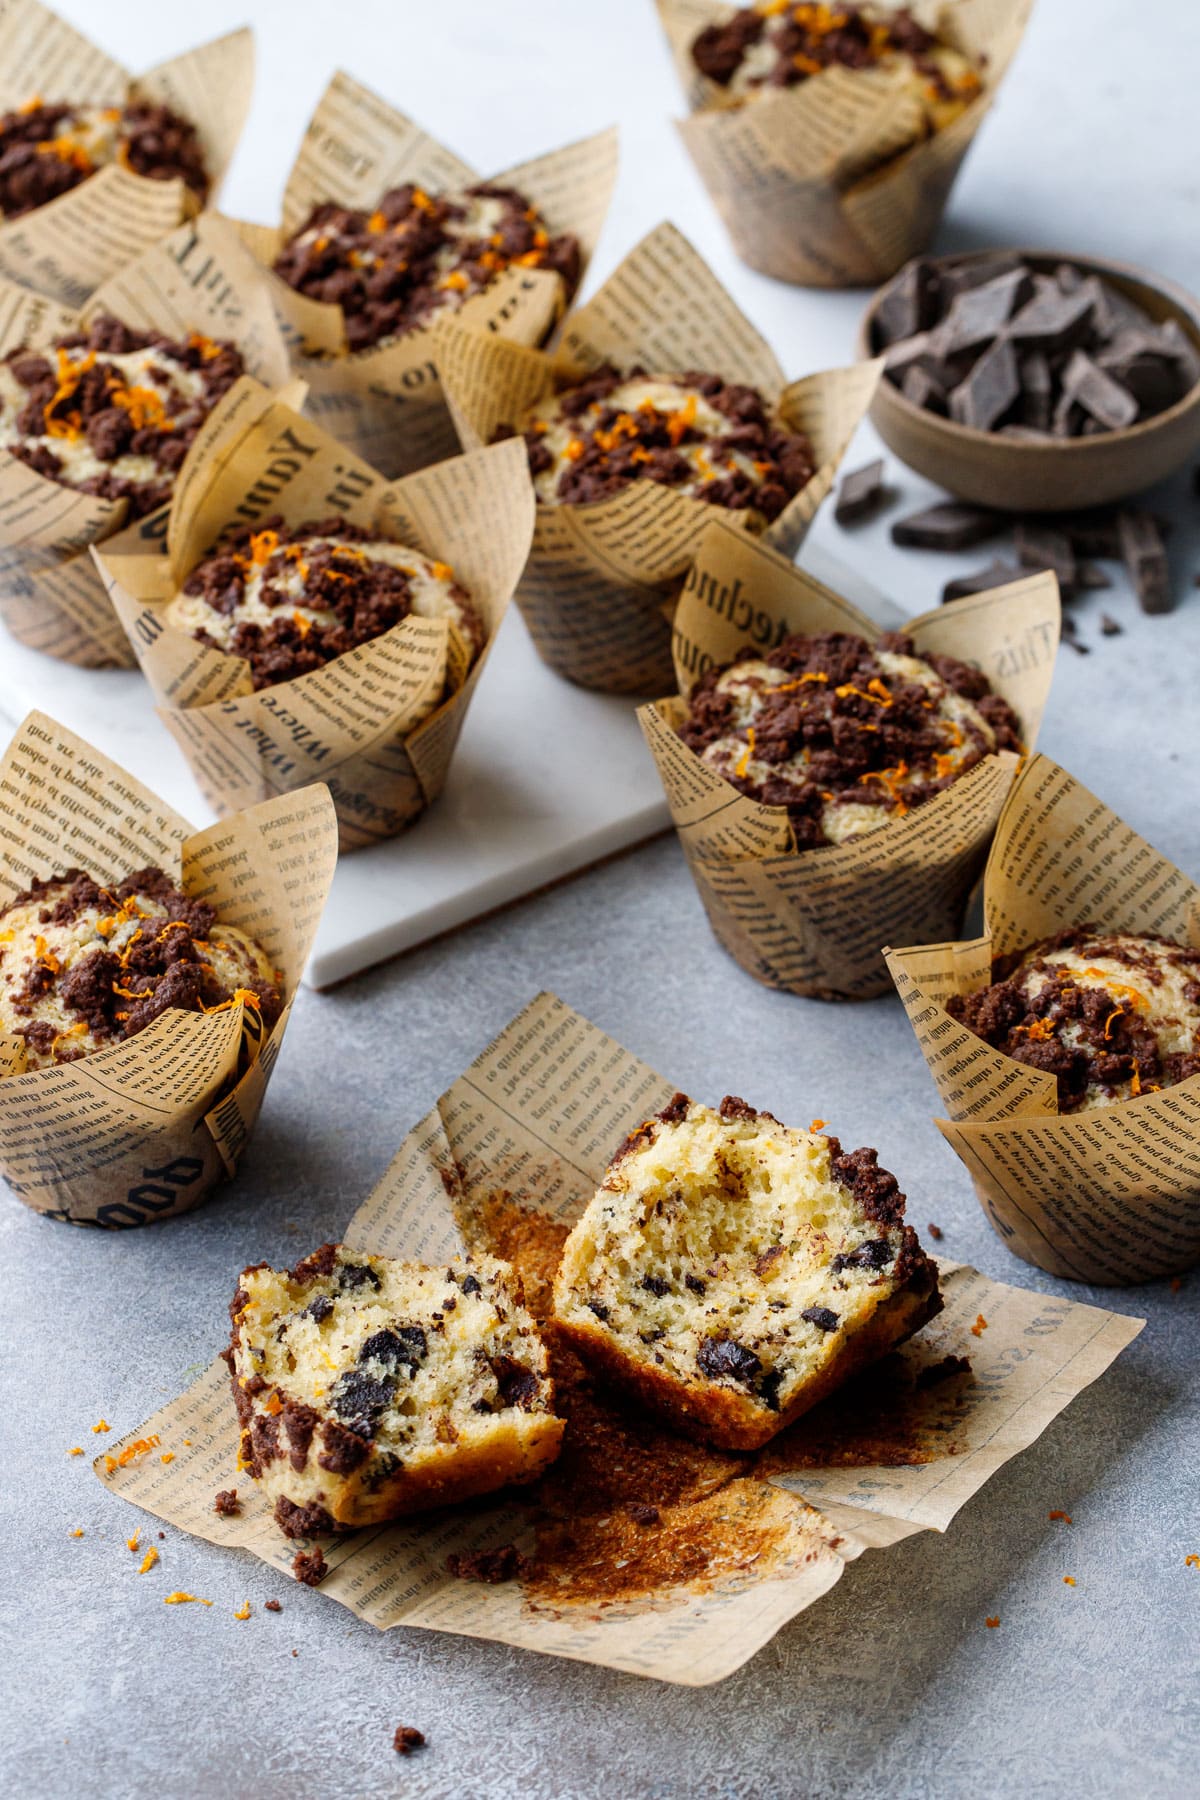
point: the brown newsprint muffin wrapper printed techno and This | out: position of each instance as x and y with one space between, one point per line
814 921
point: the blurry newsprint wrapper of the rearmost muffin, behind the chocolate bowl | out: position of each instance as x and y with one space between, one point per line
821 184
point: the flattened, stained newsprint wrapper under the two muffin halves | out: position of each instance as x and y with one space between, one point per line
539 1117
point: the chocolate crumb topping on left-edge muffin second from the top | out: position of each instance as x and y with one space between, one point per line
75 391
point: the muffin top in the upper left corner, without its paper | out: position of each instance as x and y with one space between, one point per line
46 150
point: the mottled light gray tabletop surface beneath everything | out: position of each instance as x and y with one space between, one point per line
893 1684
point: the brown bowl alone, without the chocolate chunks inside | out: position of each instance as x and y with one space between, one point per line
1057 478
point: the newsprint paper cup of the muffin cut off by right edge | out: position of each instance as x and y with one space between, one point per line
1109 1196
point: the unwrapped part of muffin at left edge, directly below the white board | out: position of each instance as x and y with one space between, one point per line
85 966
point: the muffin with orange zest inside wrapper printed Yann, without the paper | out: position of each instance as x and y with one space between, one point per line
292 598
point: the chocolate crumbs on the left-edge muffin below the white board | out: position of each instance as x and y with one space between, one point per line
120 994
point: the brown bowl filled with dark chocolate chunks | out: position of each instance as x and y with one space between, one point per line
1035 382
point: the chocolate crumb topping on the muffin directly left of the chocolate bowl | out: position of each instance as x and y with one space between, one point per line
614 447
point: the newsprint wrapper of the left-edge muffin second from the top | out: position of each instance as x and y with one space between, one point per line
51 597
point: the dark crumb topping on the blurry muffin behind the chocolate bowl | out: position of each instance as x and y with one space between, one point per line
809 39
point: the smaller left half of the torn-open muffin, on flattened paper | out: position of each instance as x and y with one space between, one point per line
368 1389
